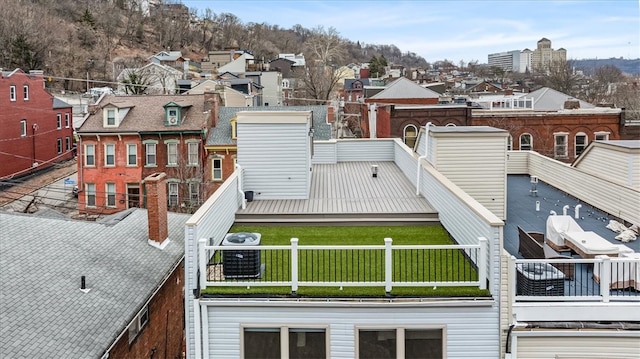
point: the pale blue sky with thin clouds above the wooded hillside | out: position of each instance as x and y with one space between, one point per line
459 29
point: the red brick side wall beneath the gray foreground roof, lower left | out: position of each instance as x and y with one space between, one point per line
165 331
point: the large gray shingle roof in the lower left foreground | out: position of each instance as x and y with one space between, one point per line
42 310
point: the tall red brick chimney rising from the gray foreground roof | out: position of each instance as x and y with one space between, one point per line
156 187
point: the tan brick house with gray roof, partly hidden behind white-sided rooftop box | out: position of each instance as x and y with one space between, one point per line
222 148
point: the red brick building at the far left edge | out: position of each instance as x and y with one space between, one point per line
36 128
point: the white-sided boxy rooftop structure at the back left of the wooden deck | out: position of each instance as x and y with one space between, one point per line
276 159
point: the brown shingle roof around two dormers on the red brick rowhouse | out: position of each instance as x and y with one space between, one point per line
147 114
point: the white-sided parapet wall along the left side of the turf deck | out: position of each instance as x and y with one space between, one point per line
212 220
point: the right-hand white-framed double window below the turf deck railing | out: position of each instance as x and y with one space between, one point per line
407 343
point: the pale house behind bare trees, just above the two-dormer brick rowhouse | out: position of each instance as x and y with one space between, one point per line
155 79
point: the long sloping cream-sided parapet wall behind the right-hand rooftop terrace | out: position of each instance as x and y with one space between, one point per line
620 201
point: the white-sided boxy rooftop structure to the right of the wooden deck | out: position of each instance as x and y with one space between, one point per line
476 163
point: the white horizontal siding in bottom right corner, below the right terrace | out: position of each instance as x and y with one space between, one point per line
577 346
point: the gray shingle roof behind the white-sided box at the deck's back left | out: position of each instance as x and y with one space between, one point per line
221 134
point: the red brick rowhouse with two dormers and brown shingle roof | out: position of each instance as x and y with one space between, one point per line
126 138
